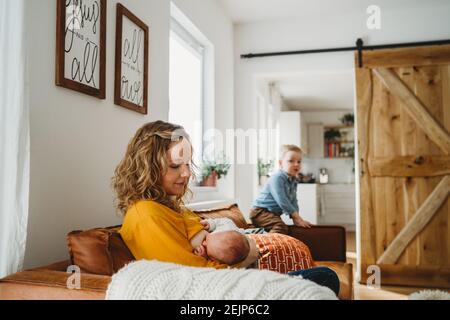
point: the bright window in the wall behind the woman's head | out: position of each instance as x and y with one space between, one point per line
186 85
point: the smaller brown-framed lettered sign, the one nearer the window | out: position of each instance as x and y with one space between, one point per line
131 78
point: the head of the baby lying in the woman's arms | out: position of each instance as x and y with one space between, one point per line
229 247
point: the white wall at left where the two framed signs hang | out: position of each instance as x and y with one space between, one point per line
77 140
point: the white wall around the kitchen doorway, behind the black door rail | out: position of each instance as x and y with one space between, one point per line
337 30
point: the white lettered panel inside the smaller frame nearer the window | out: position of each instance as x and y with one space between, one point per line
132 77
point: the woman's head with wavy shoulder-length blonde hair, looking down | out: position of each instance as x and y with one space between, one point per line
157 166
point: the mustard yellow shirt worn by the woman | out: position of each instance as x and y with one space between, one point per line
154 231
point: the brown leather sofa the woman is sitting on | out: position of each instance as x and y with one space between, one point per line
326 243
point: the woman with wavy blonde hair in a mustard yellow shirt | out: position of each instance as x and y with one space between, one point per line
151 182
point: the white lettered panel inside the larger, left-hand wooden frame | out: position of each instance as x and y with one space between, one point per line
82 42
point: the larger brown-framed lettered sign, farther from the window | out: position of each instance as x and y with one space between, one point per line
81 45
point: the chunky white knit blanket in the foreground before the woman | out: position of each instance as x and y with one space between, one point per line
154 280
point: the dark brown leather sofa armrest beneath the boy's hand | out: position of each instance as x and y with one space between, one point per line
326 243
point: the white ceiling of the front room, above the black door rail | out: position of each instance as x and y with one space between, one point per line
245 11
